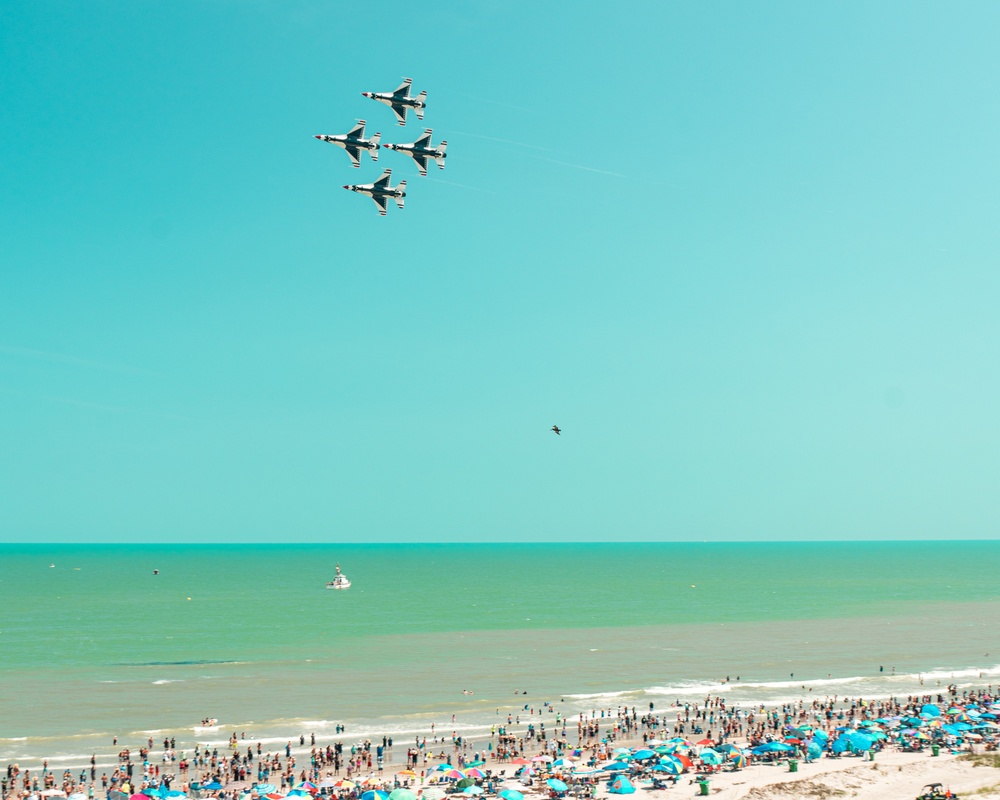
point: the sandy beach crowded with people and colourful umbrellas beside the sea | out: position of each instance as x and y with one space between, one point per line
341 768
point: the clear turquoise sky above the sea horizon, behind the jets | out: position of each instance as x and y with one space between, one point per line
745 255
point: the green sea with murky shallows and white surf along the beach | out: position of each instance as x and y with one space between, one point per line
94 645
